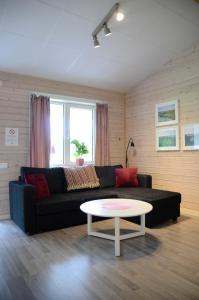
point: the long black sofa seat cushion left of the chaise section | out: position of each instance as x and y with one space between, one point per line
69 201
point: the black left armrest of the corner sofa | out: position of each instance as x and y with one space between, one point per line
22 206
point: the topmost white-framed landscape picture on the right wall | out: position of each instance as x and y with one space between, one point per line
167 113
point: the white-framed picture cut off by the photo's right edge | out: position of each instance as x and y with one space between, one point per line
190 137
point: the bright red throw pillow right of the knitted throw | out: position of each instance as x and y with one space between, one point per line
126 177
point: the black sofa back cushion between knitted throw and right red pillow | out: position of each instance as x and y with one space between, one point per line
106 175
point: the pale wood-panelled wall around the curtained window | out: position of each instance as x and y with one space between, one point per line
14 112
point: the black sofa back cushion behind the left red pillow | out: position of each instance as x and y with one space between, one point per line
54 176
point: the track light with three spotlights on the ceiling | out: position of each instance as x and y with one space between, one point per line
103 24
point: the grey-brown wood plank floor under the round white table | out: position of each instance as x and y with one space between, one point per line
66 264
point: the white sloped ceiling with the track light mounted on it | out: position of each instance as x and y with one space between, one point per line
52 39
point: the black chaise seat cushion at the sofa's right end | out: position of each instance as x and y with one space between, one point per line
153 196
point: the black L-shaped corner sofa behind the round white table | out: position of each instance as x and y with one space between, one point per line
62 208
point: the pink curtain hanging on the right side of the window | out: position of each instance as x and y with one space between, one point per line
102 156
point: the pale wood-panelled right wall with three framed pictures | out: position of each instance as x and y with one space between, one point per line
171 170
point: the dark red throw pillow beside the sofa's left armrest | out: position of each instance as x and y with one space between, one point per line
40 183
